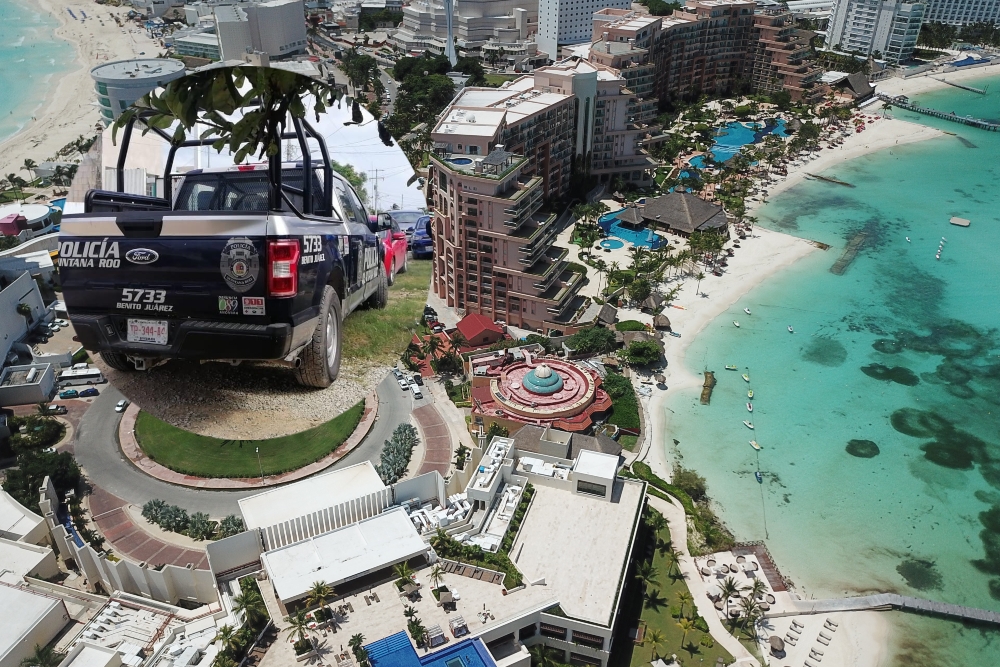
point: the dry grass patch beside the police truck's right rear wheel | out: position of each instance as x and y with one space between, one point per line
382 335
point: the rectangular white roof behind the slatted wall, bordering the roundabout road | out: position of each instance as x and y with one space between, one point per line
310 495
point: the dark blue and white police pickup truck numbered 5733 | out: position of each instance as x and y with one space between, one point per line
251 262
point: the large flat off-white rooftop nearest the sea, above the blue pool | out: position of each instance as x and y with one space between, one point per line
594 539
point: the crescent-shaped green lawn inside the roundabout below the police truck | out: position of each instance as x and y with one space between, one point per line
193 454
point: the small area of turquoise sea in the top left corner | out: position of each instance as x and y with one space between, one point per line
31 56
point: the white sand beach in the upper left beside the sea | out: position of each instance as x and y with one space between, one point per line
70 108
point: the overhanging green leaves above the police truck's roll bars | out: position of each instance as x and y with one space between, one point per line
211 97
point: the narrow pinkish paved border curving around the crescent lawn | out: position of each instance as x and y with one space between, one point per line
132 451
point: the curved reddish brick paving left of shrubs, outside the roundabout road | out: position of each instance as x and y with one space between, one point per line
122 535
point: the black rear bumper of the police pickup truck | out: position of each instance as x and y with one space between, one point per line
196 340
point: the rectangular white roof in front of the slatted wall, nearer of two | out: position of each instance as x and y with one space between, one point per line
343 554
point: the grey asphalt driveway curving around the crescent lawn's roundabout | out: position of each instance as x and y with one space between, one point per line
96 450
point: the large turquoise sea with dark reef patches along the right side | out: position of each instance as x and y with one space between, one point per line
903 351
